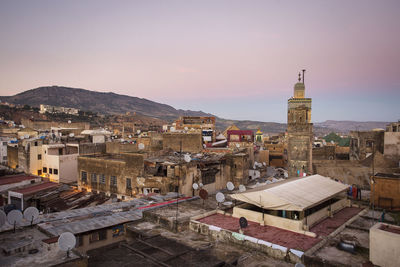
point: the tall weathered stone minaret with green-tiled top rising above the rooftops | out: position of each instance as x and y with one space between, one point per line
300 131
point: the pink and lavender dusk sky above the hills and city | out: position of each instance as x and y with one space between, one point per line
234 59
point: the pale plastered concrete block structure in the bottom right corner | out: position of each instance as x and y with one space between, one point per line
384 249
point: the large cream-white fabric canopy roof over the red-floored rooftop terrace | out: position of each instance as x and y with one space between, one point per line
293 194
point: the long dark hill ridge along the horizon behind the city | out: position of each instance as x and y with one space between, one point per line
111 103
